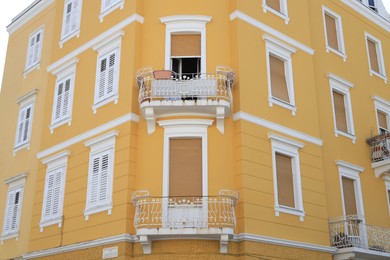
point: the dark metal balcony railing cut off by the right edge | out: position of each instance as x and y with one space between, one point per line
380 147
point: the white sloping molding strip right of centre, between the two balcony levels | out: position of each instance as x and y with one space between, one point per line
276 127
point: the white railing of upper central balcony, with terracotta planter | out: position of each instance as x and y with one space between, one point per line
168 85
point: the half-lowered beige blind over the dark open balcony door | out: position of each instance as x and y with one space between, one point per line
185 45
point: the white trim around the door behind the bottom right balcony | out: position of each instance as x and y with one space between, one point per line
352 172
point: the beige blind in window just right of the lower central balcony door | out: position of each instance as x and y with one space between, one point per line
285 180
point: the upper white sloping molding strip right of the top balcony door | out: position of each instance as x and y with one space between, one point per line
246 18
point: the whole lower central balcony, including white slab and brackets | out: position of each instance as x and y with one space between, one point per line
211 217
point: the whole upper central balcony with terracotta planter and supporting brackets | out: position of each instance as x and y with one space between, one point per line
166 93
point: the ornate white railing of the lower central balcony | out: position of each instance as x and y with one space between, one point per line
185 212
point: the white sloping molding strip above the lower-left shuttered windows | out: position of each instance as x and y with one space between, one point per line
88 134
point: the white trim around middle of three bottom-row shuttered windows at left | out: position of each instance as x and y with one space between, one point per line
54 162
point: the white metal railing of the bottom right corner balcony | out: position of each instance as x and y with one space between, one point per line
352 231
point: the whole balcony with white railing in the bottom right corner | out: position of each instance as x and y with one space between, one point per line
354 239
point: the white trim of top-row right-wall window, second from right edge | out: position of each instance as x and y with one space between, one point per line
339 30
